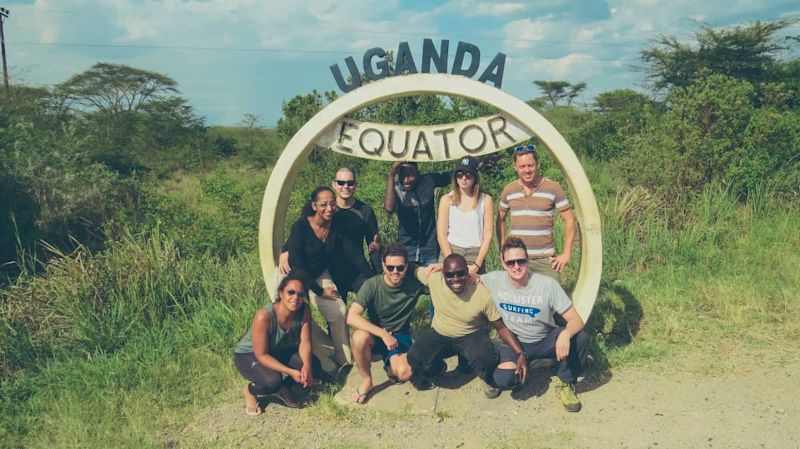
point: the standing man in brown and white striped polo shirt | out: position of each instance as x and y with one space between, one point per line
532 201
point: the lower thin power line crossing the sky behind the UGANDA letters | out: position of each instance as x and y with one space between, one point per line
266 50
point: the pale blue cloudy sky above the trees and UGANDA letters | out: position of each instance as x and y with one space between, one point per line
232 57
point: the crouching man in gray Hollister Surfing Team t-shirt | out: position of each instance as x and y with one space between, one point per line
527 302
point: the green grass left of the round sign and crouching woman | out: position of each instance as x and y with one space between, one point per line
103 349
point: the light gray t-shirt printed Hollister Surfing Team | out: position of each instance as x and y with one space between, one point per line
527 311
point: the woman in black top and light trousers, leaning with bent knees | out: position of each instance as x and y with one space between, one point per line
329 263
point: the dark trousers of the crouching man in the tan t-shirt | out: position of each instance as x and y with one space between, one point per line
428 351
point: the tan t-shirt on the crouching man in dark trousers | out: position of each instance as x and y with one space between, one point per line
459 315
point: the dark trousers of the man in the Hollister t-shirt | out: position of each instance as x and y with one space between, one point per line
568 369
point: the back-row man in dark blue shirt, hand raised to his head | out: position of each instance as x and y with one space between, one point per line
412 196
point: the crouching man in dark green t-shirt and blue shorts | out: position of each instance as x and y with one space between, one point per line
388 299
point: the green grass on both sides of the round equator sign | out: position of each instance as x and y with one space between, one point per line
121 348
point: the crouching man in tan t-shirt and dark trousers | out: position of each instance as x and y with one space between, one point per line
458 328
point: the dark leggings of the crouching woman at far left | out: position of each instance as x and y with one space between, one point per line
265 381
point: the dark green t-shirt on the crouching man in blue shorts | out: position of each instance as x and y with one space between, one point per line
388 307
